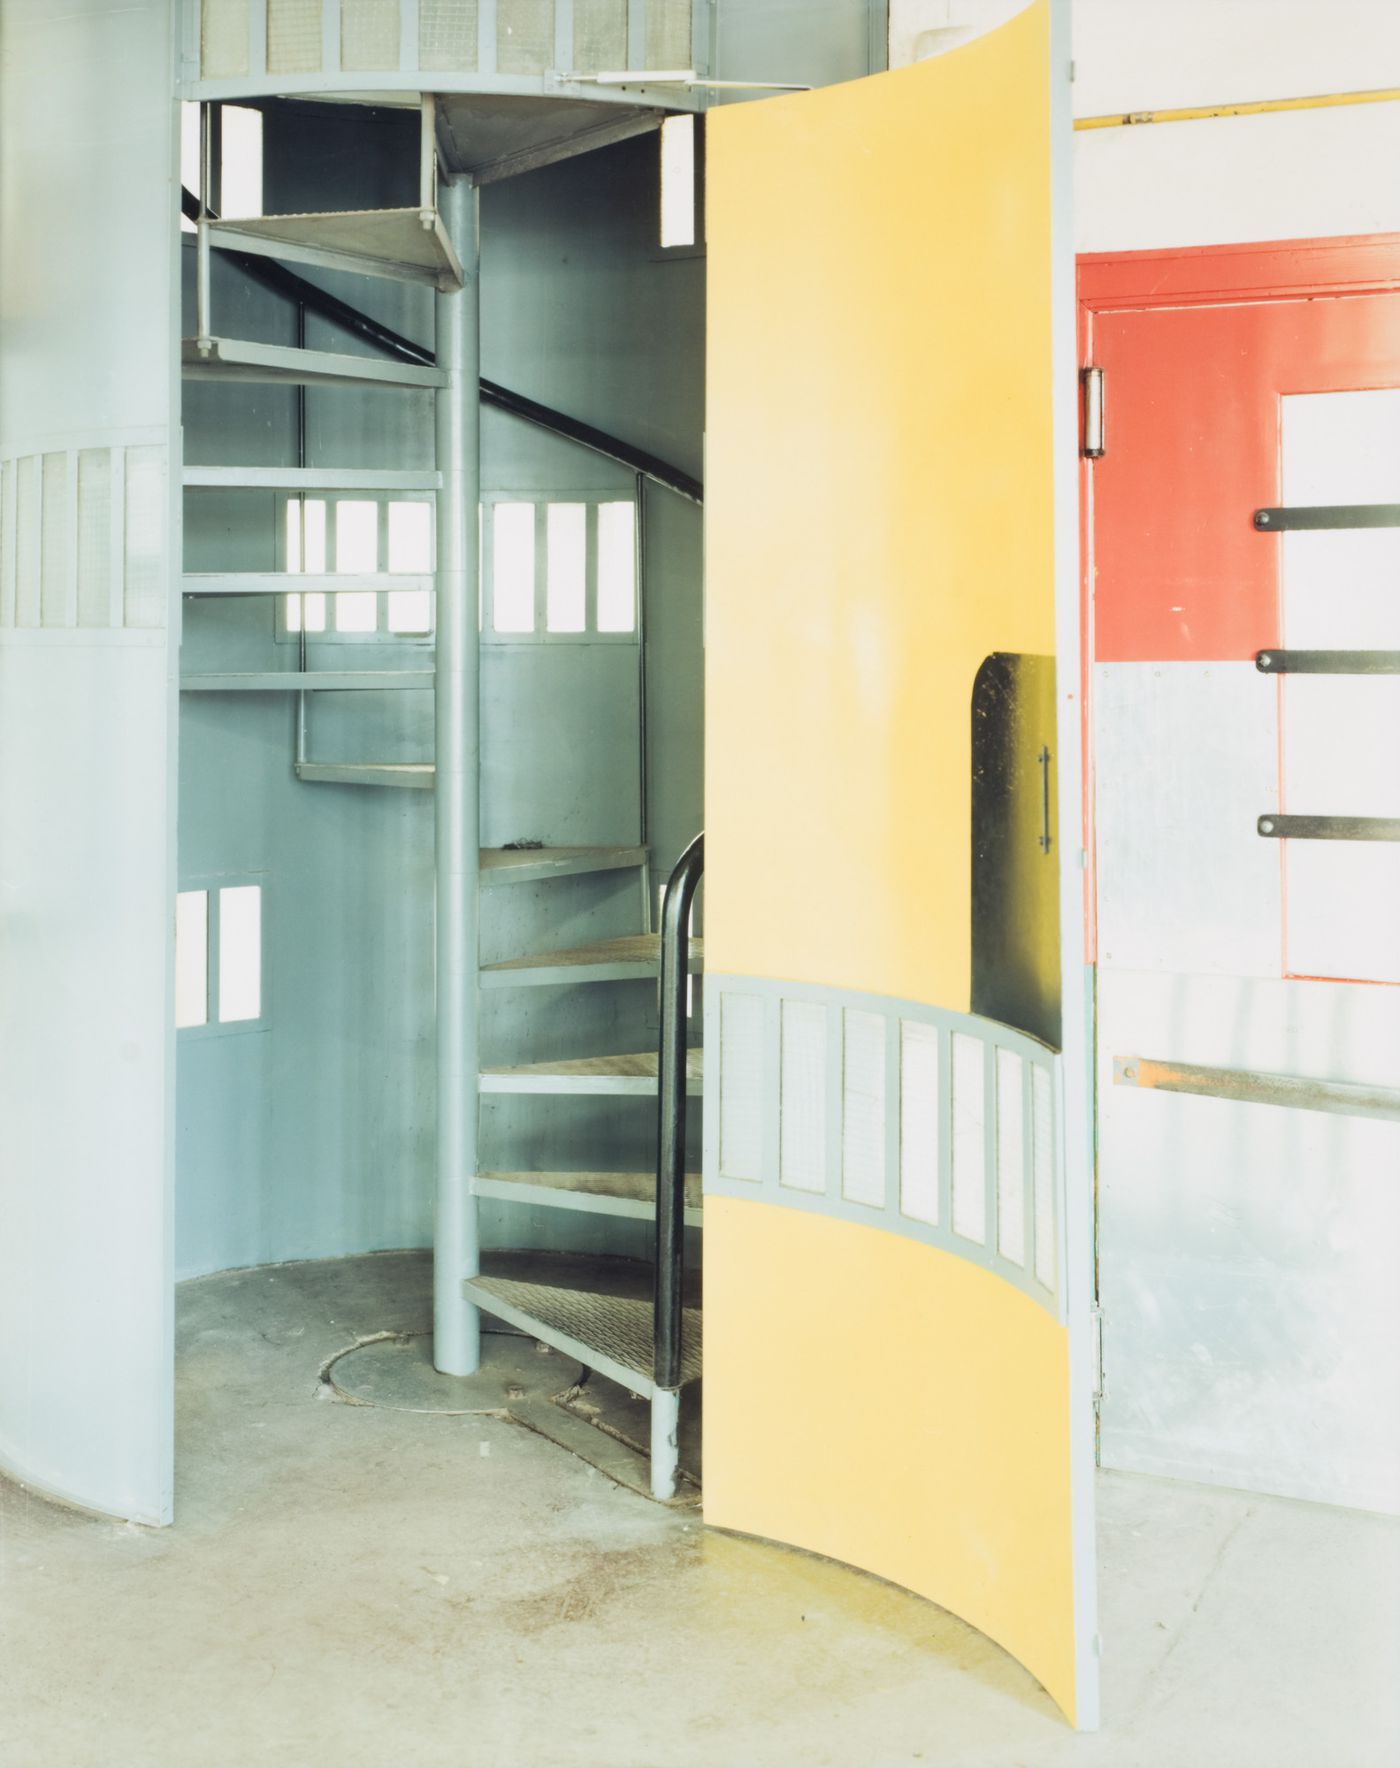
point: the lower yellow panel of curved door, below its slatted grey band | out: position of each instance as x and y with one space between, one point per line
894 1406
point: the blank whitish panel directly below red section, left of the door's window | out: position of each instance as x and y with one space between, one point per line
1187 761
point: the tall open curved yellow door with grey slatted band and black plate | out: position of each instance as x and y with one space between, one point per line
897 1198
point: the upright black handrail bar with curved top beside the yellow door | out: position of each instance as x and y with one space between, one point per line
671 1139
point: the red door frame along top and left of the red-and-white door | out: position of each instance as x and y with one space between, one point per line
1199 277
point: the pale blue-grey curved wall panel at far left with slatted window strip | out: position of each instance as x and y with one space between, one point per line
87 653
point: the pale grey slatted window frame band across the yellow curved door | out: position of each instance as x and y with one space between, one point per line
768 1185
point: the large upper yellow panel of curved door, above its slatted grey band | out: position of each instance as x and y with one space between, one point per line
878 501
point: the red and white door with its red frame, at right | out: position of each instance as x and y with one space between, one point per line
1247 1307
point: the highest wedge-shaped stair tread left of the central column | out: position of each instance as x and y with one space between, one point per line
393 243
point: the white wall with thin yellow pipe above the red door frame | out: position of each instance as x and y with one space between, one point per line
1282 176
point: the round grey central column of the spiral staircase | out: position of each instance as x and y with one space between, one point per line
457 1253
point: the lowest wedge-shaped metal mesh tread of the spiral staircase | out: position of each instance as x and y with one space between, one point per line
611 1334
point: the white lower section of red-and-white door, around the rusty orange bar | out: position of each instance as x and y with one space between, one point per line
1247 1253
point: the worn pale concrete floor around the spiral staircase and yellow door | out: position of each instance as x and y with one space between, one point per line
354 1587
